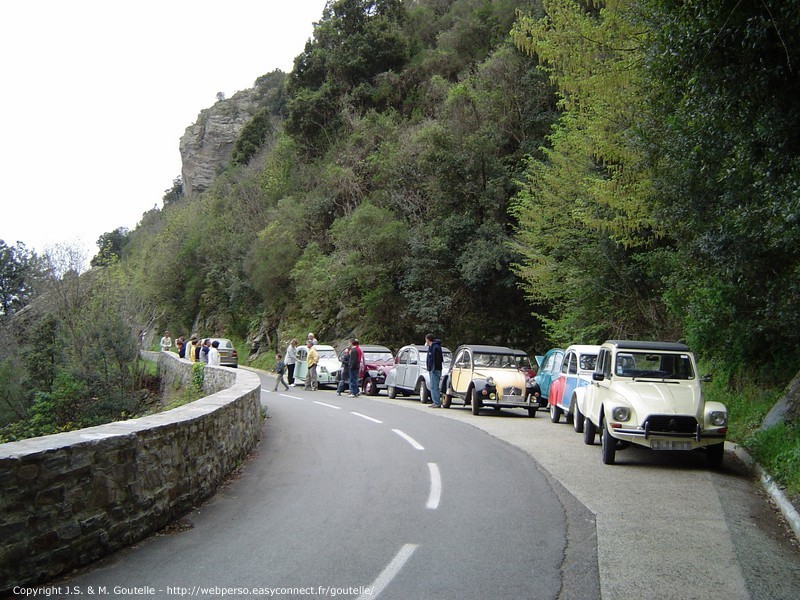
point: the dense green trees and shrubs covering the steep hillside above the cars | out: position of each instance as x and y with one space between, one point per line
530 173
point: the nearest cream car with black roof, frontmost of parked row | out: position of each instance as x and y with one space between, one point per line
648 393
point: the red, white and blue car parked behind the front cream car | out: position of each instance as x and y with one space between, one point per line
566 392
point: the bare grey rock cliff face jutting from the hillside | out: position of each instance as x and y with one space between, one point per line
206 146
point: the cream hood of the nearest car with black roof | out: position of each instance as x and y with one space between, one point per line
661 398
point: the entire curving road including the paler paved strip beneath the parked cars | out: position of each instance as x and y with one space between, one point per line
389 497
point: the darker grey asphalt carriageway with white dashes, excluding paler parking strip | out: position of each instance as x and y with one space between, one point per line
349 497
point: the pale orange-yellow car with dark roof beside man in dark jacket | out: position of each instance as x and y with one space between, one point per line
488 376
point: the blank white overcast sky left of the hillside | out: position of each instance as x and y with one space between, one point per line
96 94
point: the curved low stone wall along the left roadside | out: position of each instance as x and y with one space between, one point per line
71 498
